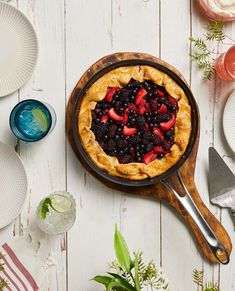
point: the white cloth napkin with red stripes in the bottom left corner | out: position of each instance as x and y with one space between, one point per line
26 261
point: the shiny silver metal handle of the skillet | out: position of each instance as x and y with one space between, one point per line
216 247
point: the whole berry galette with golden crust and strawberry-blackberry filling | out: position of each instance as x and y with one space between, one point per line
135 122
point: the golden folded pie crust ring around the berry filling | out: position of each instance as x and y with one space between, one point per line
120 77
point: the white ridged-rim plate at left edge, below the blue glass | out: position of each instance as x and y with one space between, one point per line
13 185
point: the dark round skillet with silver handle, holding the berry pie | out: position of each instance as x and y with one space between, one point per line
214 244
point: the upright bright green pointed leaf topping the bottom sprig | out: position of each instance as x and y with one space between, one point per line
121 250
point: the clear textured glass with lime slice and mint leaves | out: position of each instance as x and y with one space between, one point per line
56 213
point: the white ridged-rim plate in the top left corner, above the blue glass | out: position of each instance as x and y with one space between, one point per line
18 49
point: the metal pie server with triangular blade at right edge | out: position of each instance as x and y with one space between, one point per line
221 183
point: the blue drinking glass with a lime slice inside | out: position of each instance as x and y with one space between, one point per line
31 120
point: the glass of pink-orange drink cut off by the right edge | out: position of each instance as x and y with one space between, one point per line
225 65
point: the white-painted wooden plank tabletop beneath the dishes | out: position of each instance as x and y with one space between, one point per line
72 35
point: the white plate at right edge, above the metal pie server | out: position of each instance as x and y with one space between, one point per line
229 121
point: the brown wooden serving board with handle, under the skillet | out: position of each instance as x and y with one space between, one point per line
157 191
